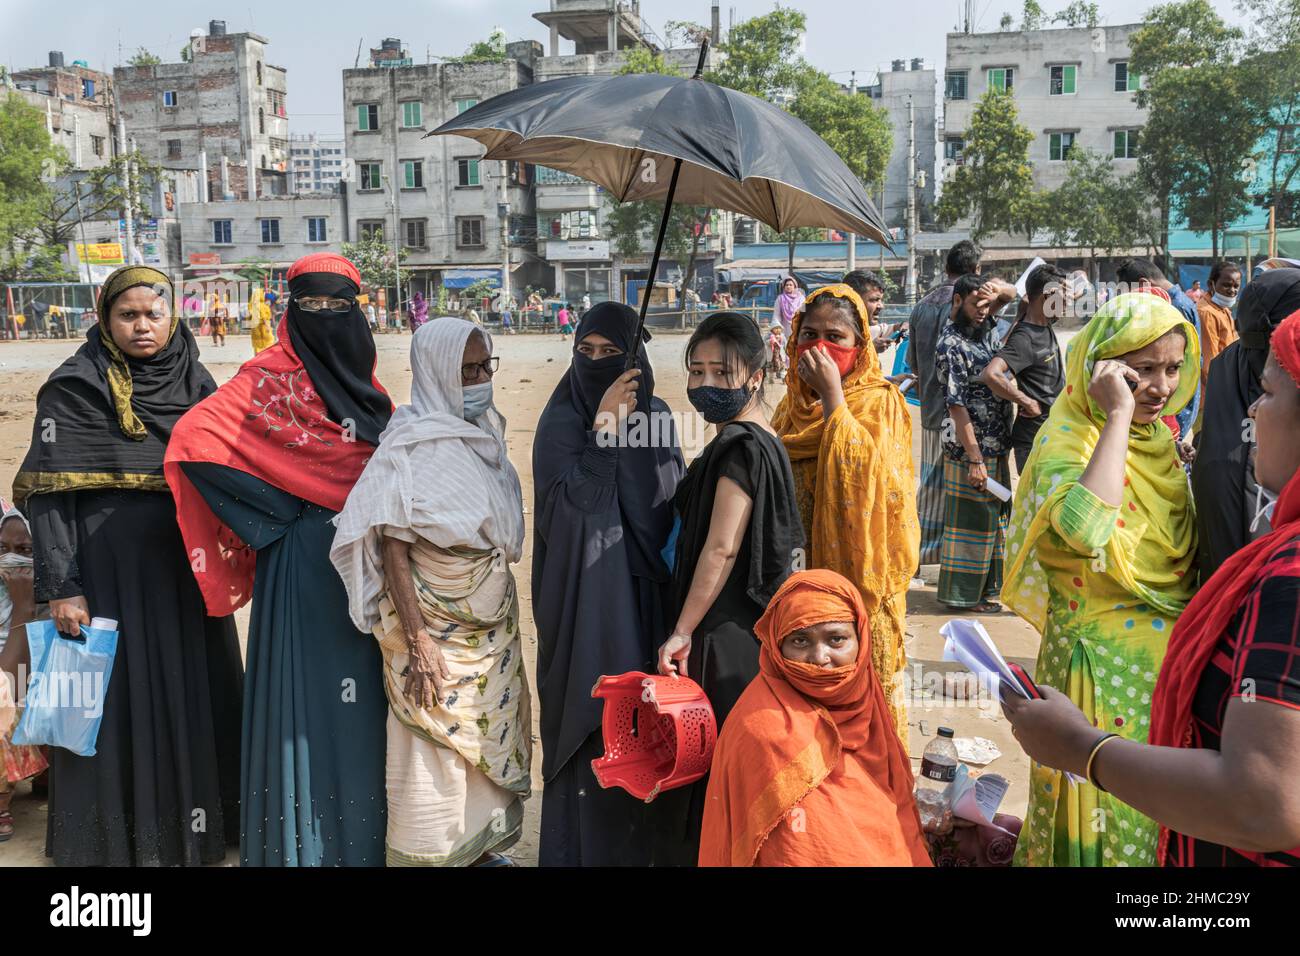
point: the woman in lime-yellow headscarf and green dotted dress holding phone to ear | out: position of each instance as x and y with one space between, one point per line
1102 546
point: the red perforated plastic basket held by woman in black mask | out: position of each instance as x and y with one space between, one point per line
660 733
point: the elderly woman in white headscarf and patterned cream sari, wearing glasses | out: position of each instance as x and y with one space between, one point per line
424 548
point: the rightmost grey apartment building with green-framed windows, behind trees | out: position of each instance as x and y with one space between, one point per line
1073 89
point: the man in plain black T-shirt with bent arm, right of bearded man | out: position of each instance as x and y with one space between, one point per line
1029 371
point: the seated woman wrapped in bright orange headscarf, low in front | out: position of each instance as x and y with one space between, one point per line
809 771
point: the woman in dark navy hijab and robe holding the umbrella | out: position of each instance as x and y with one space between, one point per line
604 487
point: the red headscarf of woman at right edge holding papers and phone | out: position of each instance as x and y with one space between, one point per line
1212 611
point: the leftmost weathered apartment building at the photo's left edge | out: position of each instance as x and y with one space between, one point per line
79 107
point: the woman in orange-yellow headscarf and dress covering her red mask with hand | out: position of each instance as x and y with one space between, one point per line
850 439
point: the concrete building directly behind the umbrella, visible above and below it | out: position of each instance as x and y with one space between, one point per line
571 213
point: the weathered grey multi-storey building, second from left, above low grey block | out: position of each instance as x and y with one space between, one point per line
222 113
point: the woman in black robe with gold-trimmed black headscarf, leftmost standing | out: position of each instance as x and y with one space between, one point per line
107 544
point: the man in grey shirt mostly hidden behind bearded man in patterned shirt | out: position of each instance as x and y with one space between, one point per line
929 319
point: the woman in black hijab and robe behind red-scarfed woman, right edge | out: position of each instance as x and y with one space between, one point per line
1224 486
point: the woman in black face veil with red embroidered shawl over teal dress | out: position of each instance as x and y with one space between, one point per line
259 471
